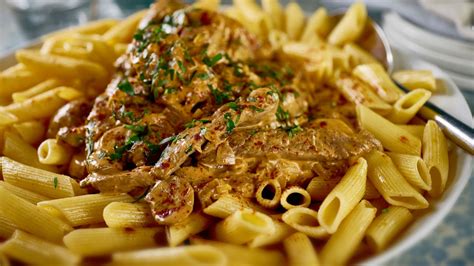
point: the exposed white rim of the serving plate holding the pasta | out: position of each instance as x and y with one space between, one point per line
454 103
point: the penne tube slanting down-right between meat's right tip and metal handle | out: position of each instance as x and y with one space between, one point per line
393 138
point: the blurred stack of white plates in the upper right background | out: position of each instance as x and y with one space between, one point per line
455 57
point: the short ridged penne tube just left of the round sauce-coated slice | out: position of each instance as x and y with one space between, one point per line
125 214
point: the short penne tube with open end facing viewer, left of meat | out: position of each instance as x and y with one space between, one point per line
53 153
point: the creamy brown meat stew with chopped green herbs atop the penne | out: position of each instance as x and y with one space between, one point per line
199 108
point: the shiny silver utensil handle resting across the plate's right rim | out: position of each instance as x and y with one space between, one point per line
453 128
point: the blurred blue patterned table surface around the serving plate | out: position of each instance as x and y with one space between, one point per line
452 242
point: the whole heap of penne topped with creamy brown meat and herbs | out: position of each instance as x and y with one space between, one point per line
183 135
